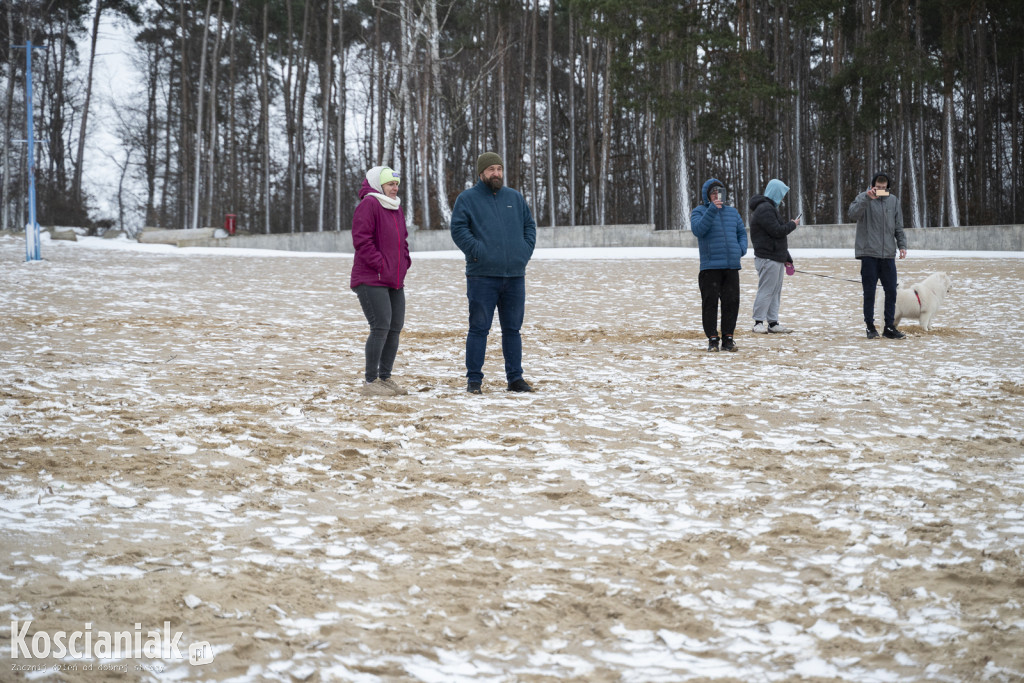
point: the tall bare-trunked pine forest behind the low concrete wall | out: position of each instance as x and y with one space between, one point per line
605 111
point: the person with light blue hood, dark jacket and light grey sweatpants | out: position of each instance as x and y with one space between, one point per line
772 254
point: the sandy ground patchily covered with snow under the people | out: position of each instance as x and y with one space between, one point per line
182 441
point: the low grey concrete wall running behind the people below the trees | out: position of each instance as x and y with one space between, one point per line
979 238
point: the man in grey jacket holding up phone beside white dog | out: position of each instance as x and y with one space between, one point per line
880 235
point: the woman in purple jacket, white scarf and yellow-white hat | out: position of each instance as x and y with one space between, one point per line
378 275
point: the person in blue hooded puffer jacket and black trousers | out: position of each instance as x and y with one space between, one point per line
722 242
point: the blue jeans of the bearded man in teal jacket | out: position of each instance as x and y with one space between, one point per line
509 296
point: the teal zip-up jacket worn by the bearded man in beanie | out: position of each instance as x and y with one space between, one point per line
495 231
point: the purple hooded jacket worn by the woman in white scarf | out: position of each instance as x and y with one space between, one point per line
381 244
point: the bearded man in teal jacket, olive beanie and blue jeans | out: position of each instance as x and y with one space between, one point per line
494 228
